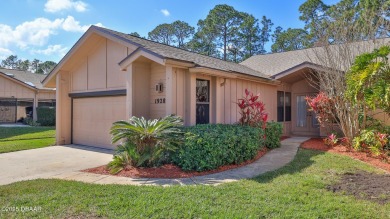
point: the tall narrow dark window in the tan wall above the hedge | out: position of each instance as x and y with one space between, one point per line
202 101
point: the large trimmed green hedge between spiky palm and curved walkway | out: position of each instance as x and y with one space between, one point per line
210 146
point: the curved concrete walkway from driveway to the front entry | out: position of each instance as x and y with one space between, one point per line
273 160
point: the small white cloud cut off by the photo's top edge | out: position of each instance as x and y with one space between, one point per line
53 6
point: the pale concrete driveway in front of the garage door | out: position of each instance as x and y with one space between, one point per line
50 161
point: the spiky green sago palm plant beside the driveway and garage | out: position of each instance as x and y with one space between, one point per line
144 142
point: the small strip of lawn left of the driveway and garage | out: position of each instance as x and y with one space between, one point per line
22 138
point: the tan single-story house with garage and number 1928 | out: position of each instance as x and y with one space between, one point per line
109 76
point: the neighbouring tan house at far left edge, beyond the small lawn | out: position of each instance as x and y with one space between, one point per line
20 93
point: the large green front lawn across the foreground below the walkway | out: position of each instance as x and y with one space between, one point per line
297 190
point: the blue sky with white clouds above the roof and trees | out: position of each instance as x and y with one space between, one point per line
47 29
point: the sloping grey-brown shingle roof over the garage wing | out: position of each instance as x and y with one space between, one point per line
171 52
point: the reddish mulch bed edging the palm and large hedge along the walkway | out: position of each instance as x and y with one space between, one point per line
169 171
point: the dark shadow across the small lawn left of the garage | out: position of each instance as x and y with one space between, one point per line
8 132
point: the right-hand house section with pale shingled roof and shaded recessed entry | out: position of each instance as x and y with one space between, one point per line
292 69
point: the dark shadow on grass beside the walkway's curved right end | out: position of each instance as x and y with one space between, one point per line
302 160
